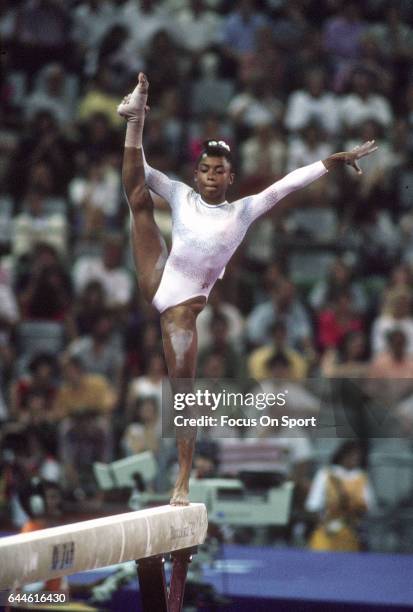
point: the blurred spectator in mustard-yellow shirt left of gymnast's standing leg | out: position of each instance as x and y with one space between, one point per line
81 392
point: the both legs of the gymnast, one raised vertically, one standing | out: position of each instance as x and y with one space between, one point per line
178 323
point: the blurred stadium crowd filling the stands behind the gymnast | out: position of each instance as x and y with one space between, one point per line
322 286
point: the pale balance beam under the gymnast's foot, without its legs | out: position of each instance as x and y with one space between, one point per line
59 551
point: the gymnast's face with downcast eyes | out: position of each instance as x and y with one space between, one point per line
213 176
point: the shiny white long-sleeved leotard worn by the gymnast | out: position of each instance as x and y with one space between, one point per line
205 236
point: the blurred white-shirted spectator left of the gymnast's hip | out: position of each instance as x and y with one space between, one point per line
108 270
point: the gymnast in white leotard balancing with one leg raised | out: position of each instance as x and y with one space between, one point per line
206 231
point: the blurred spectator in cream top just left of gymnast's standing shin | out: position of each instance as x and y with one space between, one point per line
144 430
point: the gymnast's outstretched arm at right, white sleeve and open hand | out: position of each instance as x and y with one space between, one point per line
297 179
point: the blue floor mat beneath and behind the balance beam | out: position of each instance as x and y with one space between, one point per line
262 579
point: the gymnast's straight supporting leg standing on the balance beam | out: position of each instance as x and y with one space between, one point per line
180 346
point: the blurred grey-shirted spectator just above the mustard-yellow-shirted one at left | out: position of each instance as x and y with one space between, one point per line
100 351
